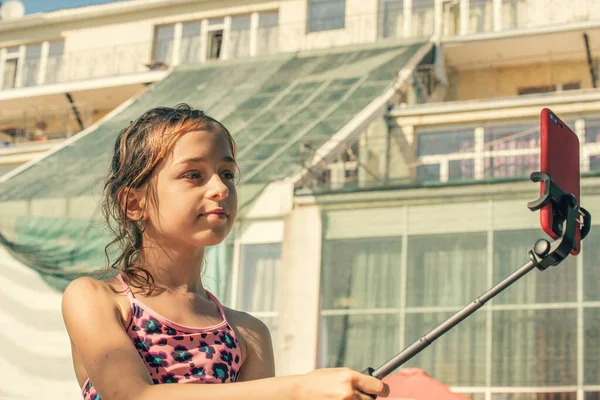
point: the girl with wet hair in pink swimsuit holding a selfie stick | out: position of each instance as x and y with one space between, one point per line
171 190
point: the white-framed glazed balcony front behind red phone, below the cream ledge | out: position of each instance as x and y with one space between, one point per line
476 153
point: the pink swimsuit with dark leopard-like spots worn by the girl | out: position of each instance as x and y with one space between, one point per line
175 353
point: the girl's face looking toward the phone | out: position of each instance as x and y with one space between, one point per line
196 199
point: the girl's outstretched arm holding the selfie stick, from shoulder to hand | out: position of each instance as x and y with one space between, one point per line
115 368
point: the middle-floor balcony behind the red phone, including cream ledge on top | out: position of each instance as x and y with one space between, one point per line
458 143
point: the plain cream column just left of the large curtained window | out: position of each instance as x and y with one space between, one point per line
299 307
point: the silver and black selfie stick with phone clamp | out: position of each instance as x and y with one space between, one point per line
543 255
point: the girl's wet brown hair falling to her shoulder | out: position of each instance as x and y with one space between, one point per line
139 148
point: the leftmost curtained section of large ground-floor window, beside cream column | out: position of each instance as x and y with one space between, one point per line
359 274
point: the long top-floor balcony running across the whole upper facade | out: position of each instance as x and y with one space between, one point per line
191 42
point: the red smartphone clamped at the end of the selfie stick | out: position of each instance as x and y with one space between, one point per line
560 160
